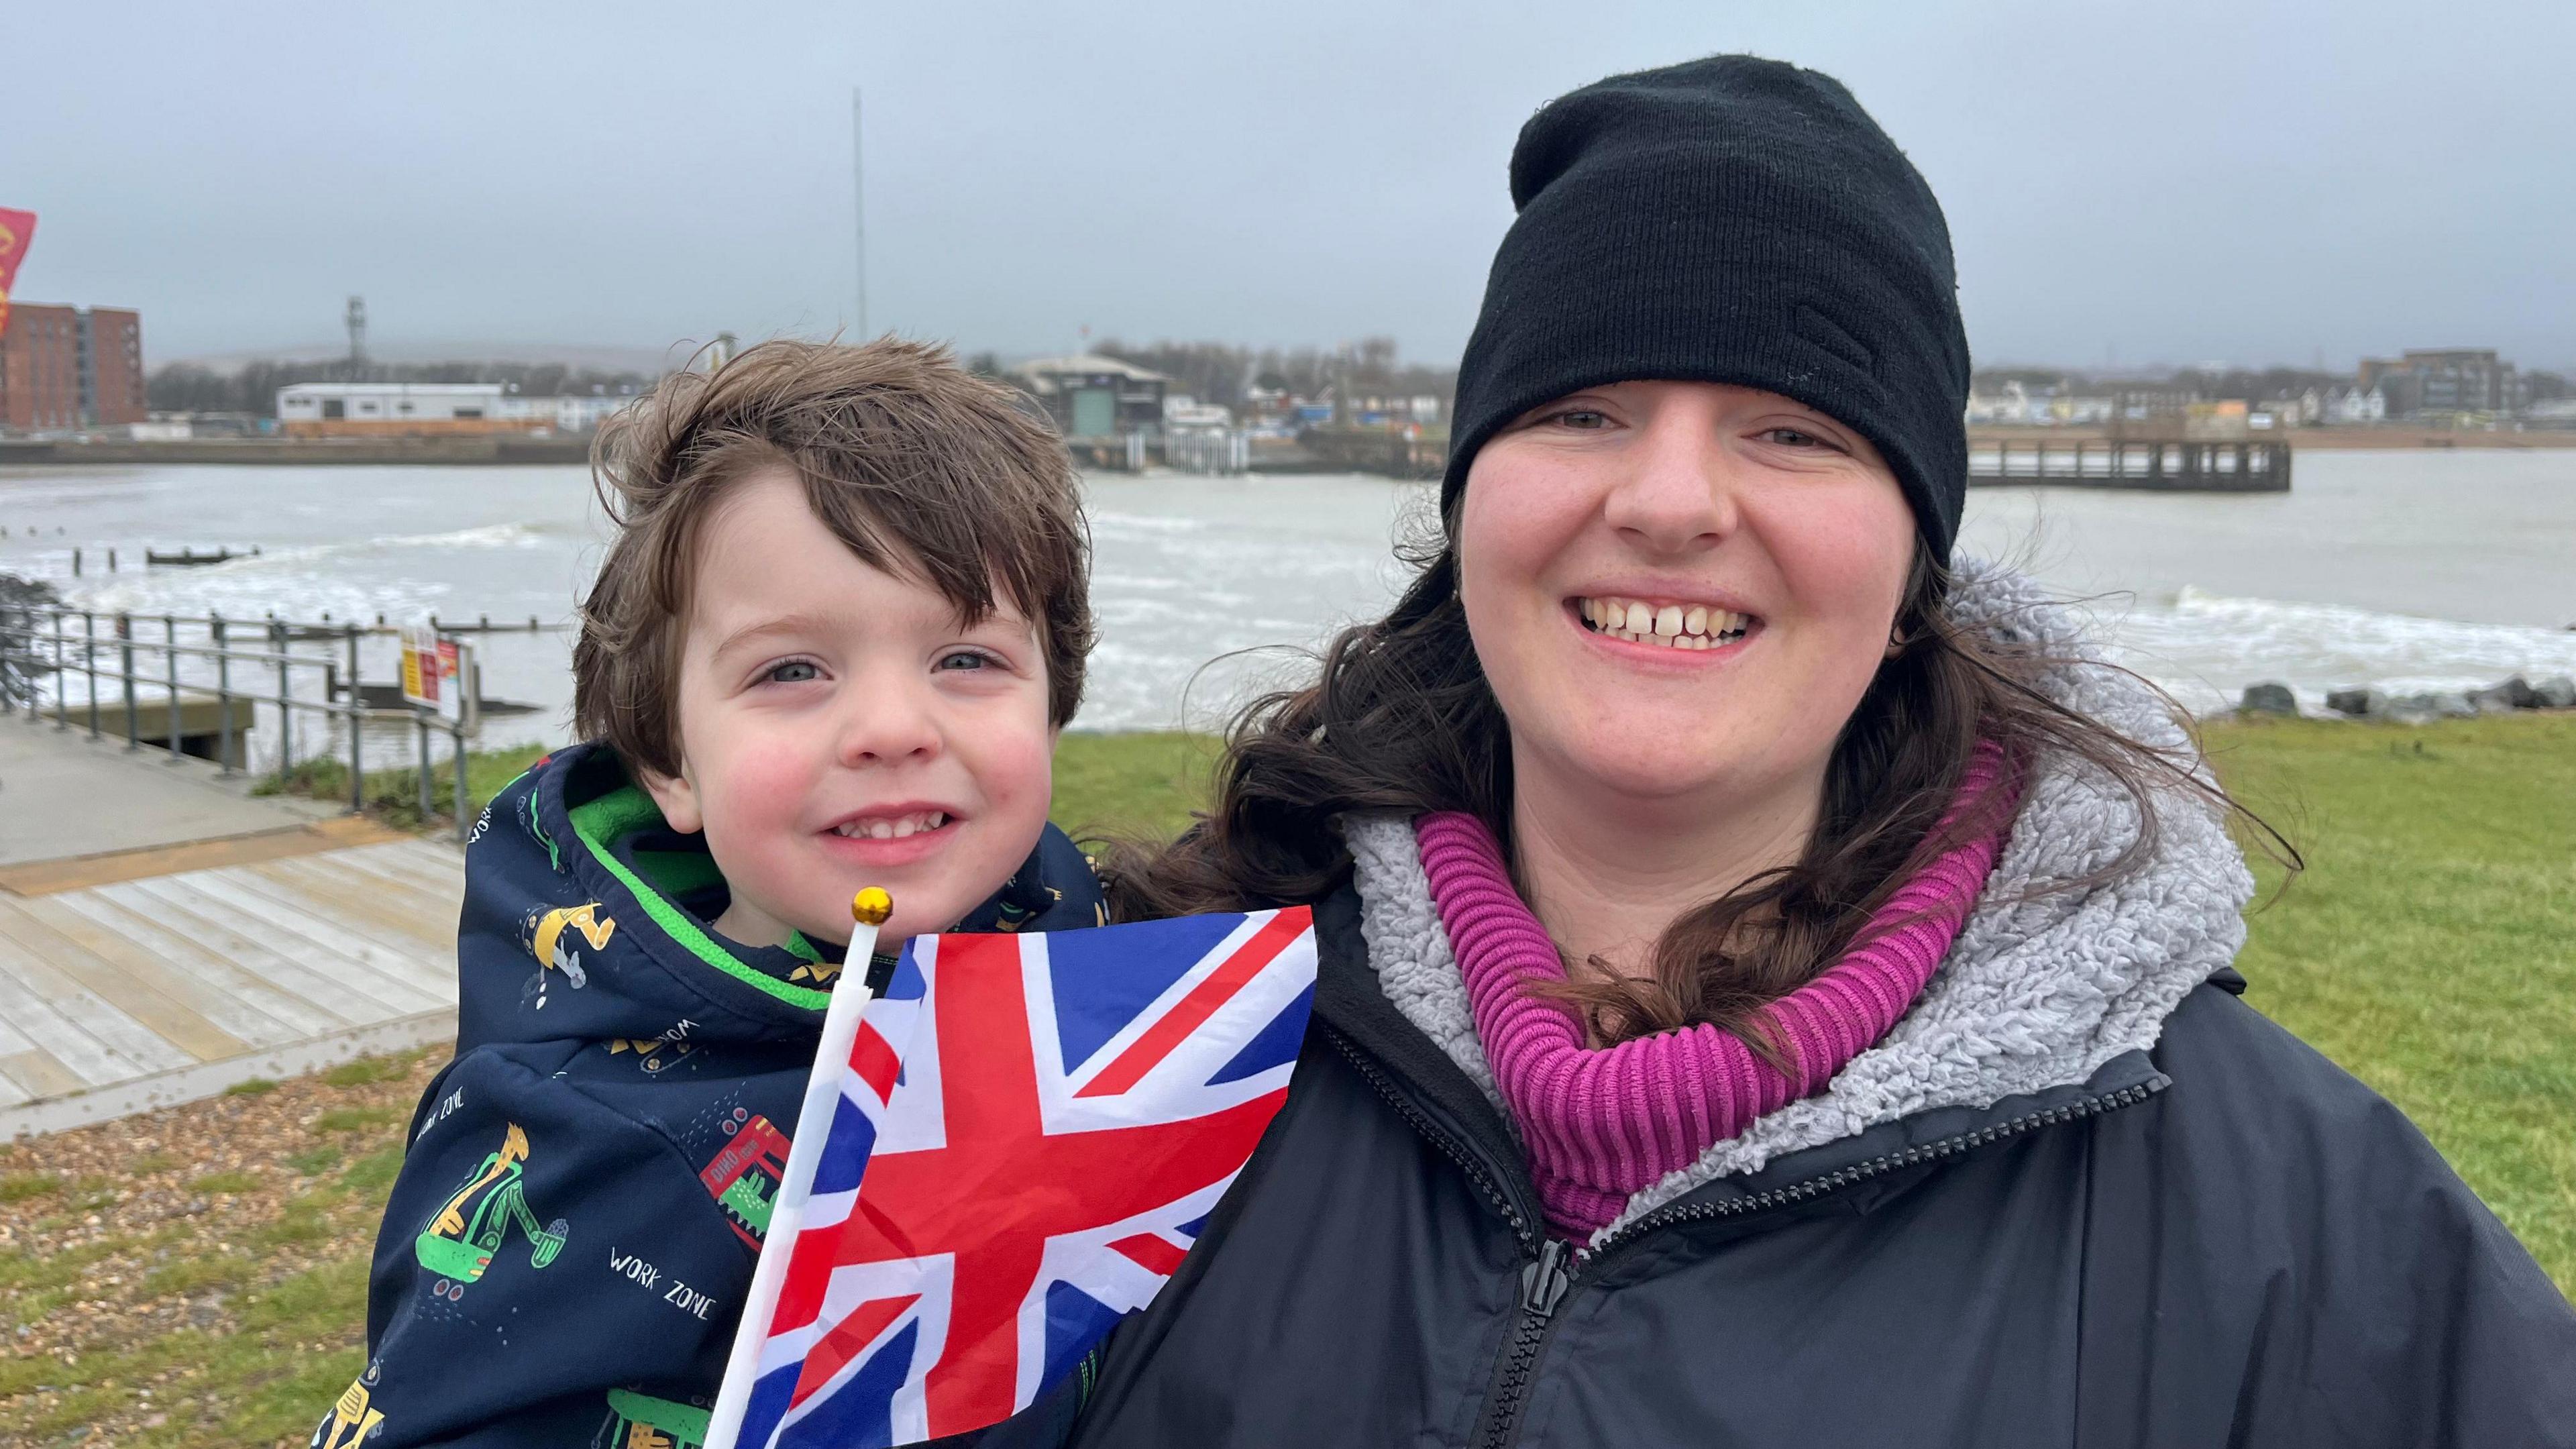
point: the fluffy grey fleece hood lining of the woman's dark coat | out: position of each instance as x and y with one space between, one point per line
2041 986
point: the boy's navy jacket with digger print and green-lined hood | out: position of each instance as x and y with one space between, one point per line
586 1187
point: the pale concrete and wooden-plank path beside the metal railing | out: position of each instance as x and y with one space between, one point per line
166 937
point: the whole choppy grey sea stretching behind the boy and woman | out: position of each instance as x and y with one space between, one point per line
2392 569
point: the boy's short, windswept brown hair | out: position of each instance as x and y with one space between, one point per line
913 463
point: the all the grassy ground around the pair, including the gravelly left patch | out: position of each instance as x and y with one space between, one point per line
200 1275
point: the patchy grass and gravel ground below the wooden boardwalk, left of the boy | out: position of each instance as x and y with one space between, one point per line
200 1275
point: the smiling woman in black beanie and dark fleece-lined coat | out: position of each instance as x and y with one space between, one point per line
1776 984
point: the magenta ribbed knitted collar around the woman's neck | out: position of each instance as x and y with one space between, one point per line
1606 1123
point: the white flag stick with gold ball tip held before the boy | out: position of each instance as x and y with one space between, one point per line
813 1125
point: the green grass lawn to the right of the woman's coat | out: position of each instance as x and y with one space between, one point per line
2430 948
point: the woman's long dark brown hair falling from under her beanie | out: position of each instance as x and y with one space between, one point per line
1403 721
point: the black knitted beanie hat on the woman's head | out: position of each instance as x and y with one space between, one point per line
1727 220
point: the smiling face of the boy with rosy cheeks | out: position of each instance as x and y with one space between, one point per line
841 728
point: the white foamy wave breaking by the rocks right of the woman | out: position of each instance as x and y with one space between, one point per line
2209 648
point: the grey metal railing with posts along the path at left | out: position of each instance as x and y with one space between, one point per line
122 669
